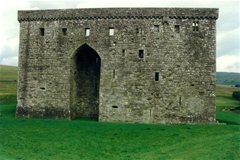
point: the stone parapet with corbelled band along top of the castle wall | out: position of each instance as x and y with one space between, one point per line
118 13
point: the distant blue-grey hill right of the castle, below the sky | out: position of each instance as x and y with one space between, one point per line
228 78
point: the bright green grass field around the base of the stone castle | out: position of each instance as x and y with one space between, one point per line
46 139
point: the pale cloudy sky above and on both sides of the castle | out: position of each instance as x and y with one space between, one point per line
228 23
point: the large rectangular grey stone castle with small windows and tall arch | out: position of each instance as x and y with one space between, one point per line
140 65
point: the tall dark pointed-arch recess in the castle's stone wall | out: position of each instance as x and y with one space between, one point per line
85 81
